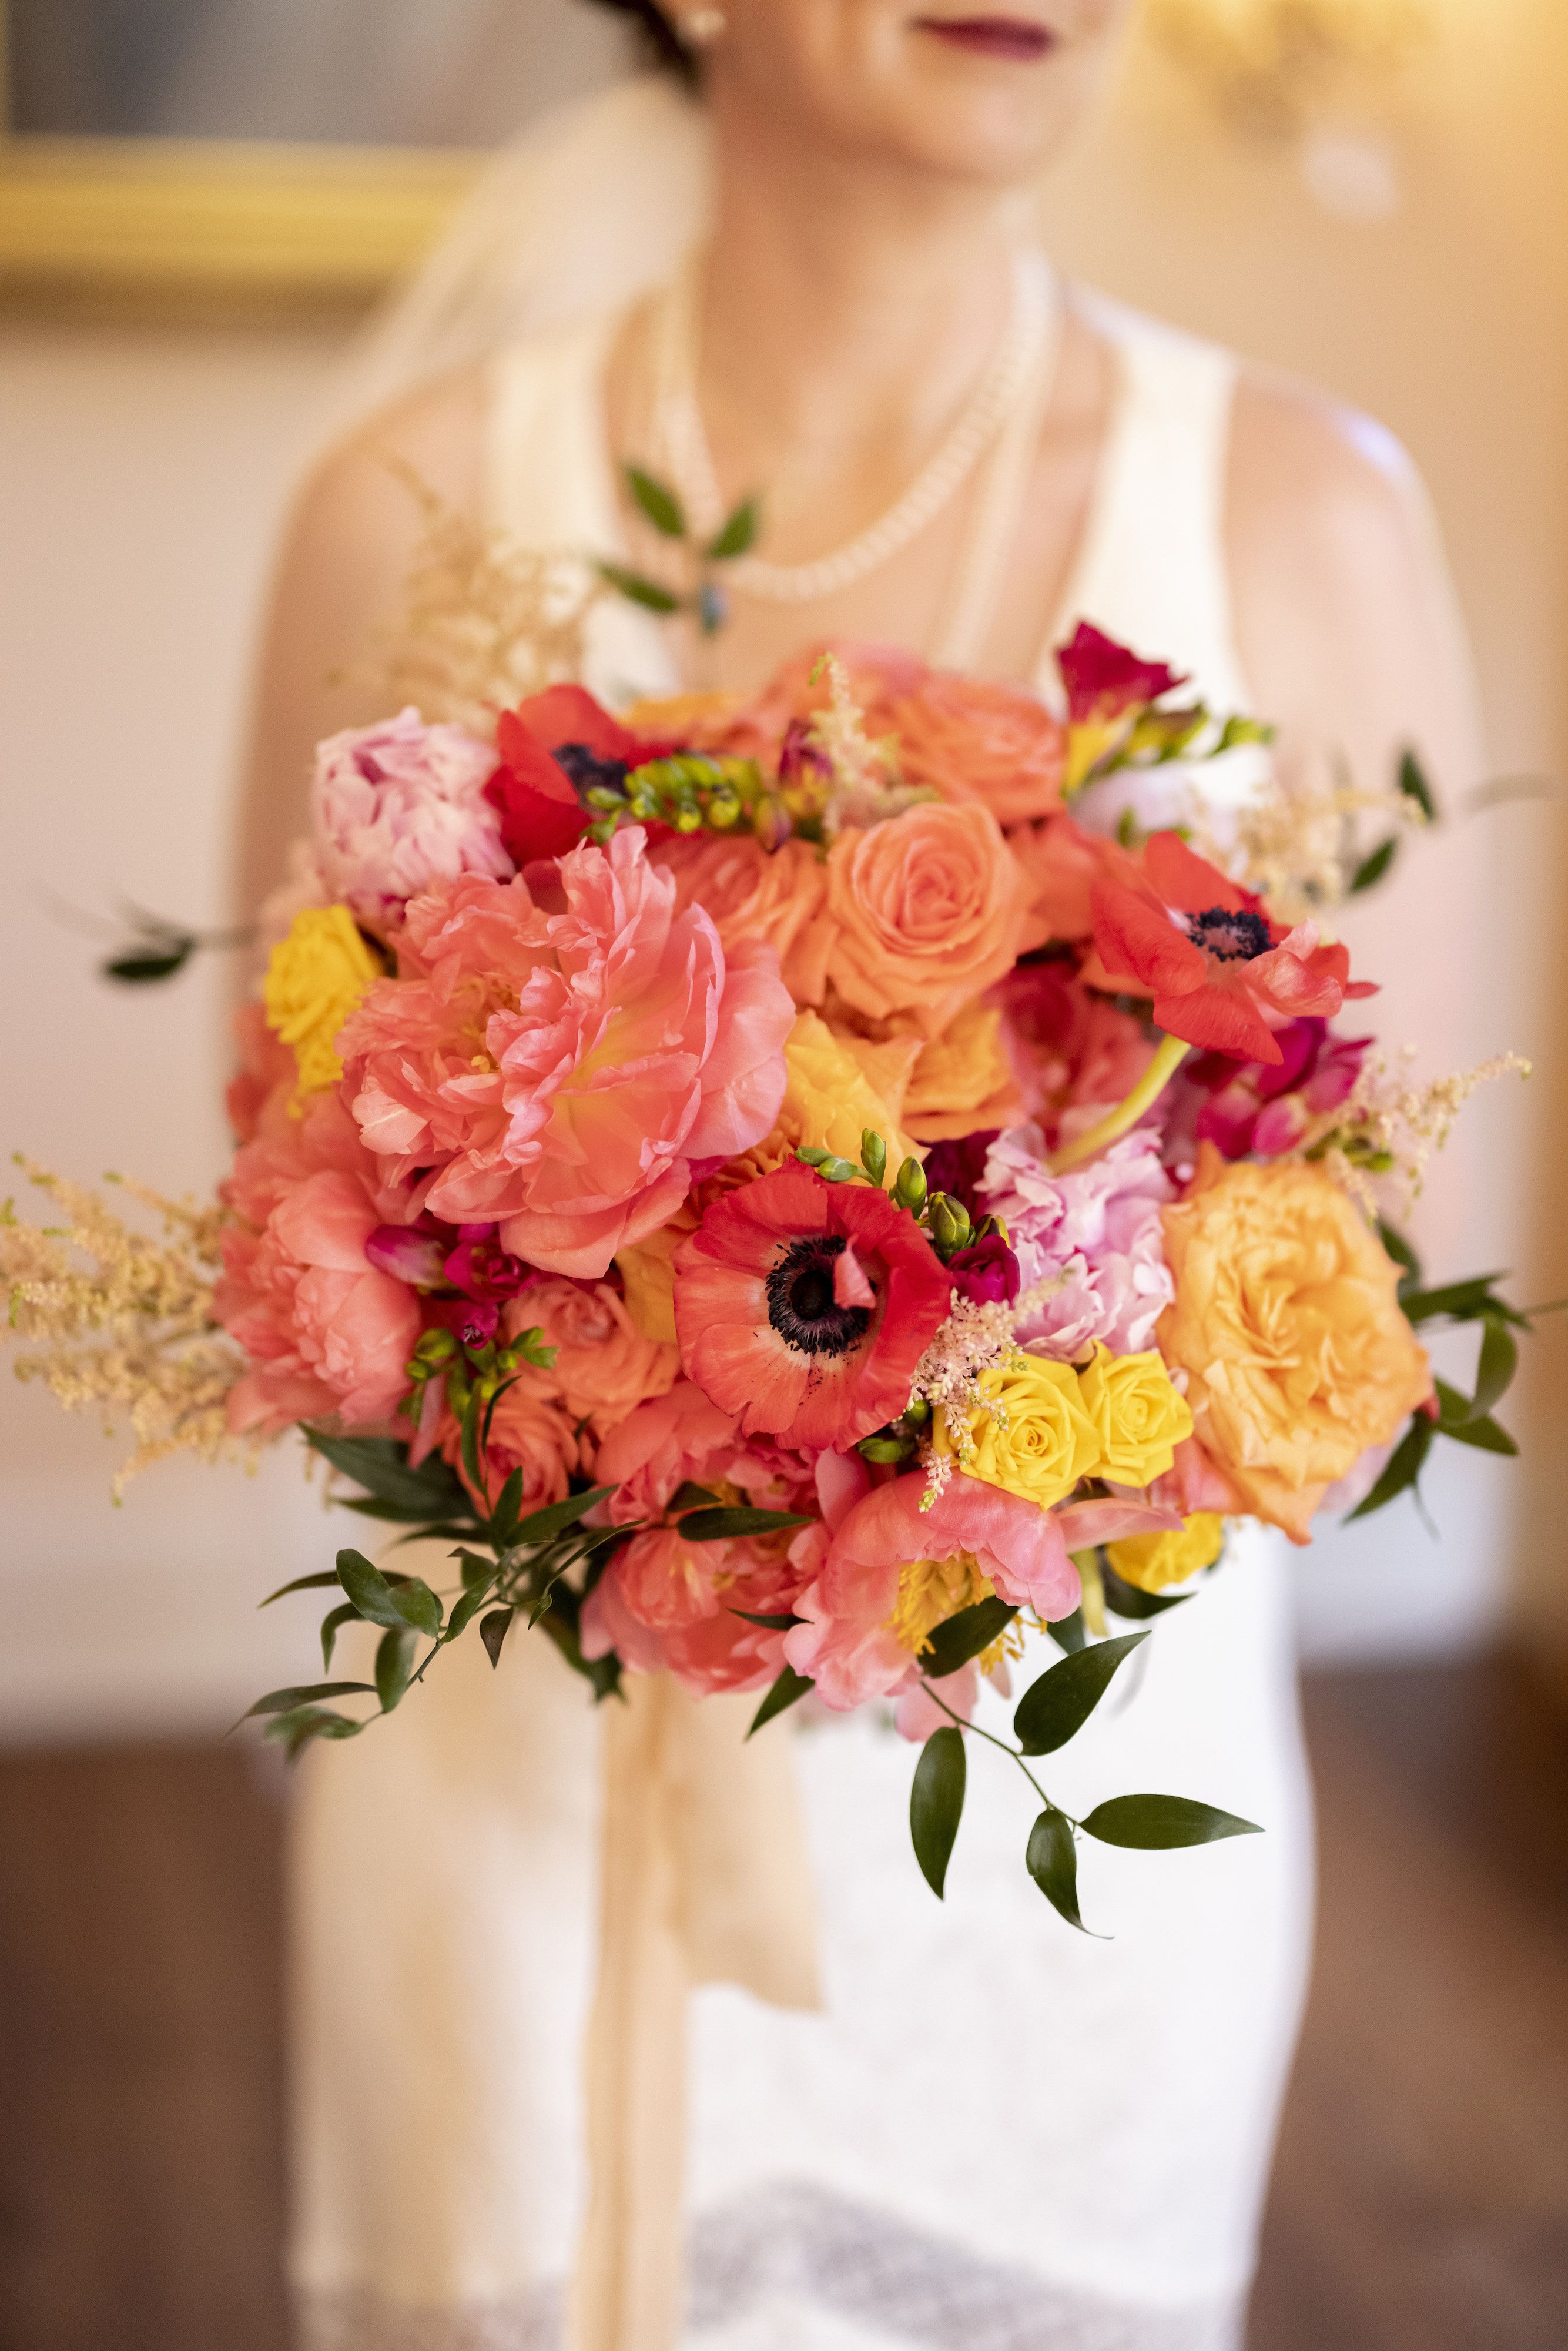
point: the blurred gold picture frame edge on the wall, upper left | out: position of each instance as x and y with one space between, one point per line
217 229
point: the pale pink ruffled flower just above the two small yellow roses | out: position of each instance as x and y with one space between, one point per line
1094 1235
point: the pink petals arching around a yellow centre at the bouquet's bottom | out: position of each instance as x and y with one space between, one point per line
845 1642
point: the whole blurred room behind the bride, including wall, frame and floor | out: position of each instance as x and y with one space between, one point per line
1372 194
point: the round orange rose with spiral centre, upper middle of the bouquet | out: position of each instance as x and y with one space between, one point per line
927 911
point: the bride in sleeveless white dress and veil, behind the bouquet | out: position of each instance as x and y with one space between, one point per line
963 2126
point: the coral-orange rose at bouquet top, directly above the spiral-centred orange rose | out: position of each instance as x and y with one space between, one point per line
981 744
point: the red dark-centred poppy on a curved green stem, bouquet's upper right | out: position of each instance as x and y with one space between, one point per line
1212 958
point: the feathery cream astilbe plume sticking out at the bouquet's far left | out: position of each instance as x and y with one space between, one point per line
126 1320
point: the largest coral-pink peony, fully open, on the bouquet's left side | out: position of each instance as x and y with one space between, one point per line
568 1073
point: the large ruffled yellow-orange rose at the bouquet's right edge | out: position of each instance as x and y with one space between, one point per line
1289 1332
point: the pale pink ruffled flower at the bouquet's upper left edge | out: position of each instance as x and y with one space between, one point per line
398 808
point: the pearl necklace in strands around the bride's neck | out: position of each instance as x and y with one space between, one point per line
1005 410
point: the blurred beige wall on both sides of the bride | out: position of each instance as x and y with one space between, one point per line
140 476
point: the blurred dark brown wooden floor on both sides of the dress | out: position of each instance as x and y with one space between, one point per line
1421 2199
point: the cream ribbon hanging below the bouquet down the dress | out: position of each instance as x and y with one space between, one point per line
704 1880
